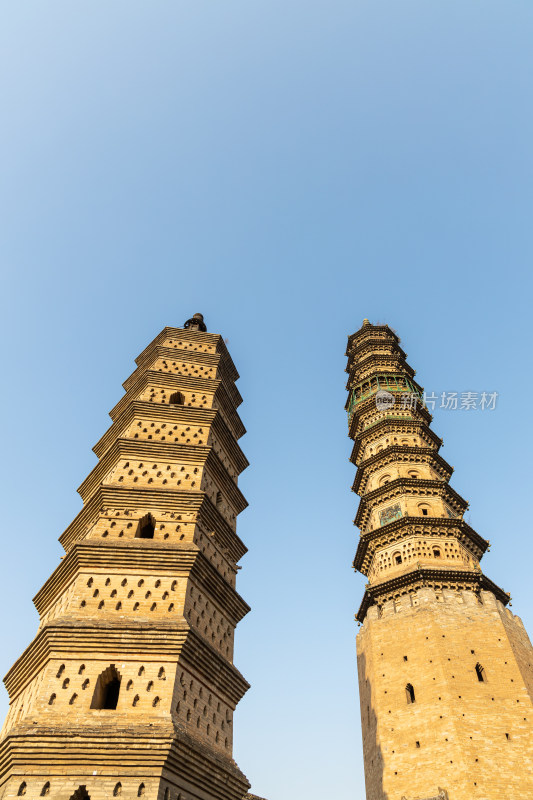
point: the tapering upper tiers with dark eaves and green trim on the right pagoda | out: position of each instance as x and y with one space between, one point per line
412 528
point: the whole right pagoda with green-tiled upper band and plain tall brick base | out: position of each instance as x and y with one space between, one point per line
445 669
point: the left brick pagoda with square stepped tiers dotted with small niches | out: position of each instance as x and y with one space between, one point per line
129 686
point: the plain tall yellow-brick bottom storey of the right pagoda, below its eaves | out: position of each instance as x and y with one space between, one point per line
472 737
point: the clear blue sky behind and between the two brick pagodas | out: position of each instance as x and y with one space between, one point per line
287 168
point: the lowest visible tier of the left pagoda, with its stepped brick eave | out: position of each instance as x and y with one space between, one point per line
158 762
